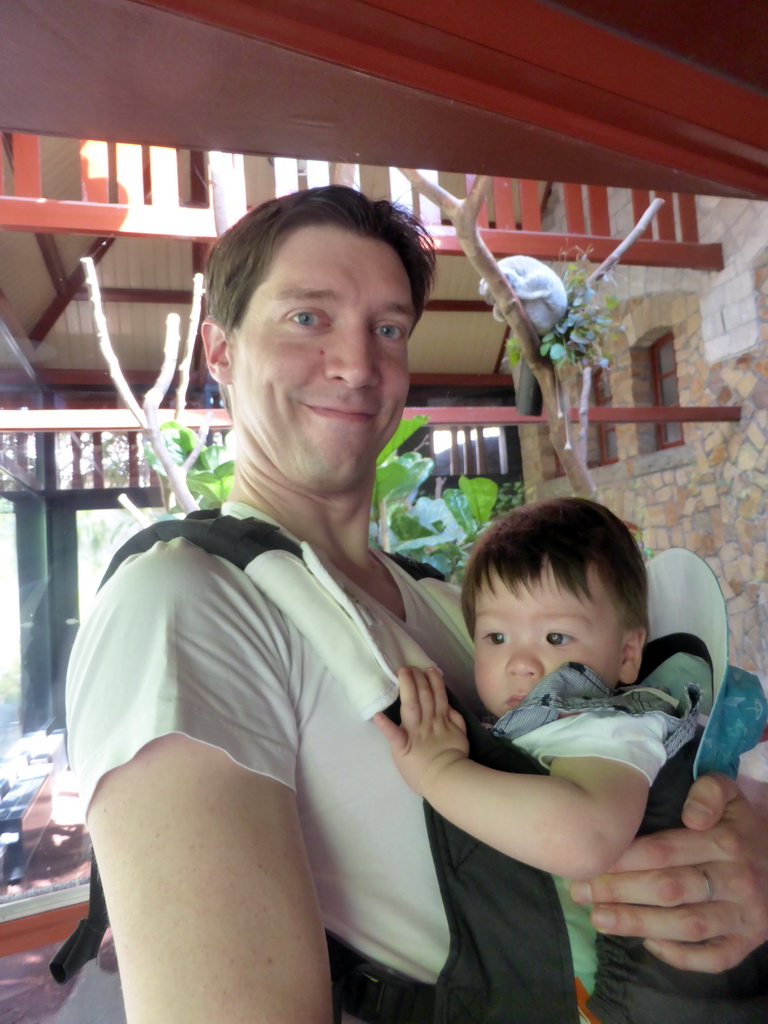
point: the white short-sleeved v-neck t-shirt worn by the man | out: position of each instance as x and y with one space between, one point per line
183 642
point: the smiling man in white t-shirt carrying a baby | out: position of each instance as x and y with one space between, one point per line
243 804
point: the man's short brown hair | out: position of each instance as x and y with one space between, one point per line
241 258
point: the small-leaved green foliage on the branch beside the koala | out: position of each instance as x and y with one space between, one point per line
590 320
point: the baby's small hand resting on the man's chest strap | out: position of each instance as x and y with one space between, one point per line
433 735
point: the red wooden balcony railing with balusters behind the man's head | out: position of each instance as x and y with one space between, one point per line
127 189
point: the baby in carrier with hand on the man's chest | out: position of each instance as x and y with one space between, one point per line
556 598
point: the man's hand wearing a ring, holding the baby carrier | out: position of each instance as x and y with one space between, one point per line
699 895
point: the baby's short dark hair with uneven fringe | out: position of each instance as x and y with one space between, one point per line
568 536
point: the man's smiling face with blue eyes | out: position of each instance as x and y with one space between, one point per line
319 365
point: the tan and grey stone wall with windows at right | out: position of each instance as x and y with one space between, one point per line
710 494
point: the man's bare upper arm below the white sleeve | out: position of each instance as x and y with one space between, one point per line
212 905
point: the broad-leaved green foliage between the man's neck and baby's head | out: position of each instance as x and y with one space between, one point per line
439 531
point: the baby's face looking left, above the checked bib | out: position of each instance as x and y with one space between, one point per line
521 637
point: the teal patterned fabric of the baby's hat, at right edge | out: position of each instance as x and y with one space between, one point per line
736 724
